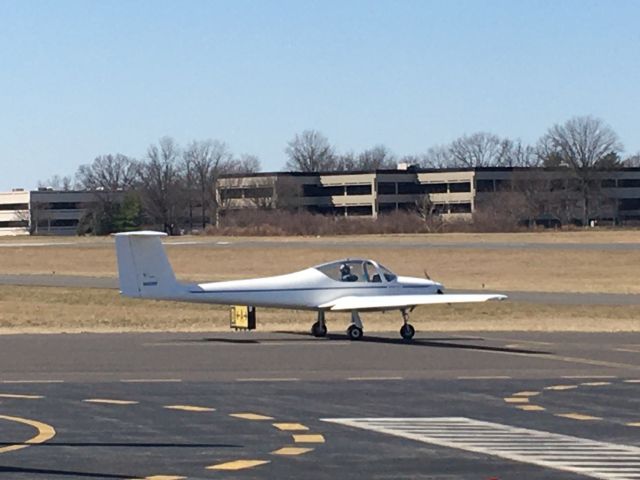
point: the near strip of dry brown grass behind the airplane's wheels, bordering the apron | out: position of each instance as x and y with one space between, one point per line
54 310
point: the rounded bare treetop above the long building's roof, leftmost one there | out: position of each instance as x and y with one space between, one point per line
310 151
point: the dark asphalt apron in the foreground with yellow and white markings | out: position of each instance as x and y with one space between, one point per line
284 405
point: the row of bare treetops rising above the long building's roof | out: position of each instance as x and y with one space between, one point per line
580 143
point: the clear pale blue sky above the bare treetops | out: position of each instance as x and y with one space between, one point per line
84 78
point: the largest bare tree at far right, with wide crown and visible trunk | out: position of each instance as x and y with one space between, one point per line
583 145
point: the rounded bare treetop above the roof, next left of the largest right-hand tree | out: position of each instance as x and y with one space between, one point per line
479 150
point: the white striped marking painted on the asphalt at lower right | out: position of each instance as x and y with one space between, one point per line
607 461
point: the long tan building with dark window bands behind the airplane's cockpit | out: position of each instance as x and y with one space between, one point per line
449 193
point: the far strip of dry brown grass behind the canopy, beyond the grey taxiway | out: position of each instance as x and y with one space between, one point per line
607 271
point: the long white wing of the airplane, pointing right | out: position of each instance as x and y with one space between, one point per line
391 302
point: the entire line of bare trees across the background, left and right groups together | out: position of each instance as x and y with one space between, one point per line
171 180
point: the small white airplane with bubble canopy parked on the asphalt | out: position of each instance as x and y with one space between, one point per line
352 285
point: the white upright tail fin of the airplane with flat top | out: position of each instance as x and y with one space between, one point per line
143 267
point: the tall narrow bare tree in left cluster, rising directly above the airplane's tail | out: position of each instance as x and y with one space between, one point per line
161 183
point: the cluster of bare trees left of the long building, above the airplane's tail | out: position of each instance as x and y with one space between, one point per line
159 188
